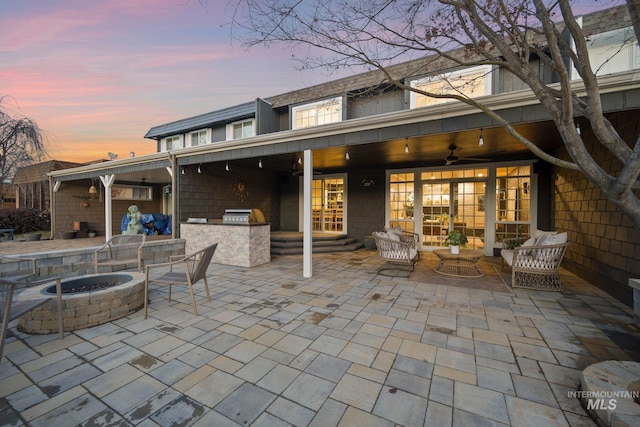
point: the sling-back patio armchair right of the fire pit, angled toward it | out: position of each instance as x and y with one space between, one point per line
194 269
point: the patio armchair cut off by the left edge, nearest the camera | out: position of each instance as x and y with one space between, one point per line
14 302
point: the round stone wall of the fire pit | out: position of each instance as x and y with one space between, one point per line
86 309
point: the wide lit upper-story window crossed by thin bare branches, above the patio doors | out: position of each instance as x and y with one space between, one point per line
471 82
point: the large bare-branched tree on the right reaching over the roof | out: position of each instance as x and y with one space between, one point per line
377 34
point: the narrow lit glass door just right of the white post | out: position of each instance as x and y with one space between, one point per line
328 205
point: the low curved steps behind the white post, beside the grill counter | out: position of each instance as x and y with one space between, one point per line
290 243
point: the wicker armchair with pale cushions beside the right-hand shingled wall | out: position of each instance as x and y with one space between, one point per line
534 262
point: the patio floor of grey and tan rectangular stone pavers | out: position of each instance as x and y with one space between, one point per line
346 347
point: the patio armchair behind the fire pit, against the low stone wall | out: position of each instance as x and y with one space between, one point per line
120 250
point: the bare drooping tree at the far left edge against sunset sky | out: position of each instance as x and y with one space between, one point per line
21 143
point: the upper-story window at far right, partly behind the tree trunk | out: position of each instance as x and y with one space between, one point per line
613 52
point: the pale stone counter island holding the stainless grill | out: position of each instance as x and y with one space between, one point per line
243 245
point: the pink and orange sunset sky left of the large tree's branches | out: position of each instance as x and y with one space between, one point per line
96 75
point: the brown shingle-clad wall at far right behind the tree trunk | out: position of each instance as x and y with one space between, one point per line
604 245
